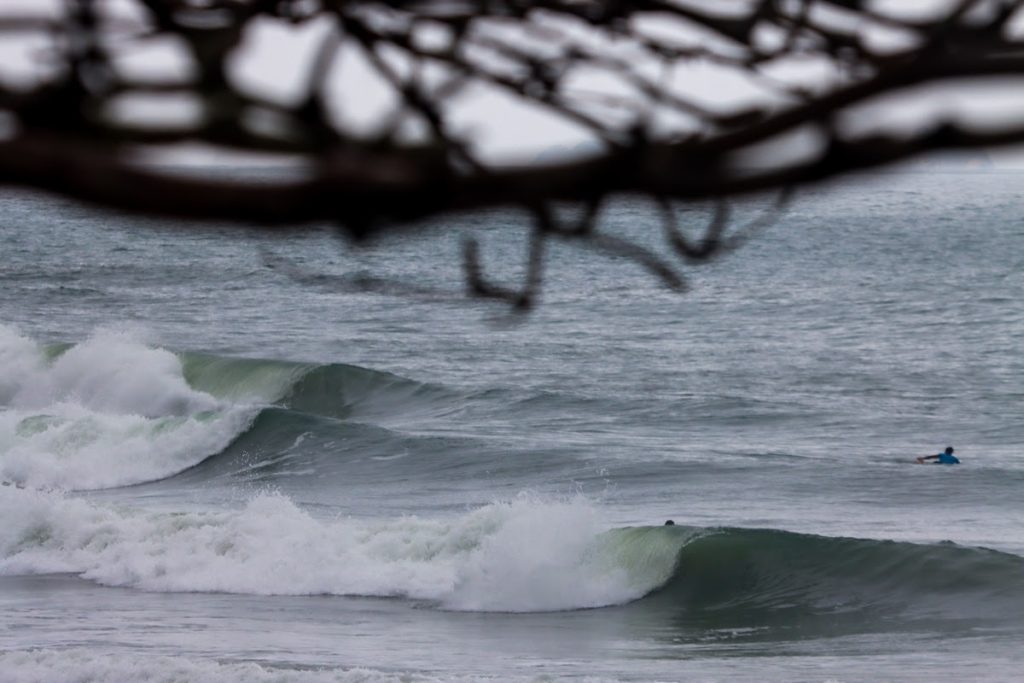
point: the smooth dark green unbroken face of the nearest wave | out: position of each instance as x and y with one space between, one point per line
744 579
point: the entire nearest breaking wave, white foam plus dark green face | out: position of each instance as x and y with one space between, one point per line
525 556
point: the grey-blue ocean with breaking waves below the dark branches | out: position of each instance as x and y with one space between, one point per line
234 455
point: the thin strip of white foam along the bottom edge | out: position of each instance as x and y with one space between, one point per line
81 666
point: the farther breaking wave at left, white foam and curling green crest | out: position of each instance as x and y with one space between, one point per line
114 411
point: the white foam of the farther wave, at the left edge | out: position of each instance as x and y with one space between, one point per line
109 412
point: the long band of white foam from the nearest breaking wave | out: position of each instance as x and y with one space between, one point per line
521 557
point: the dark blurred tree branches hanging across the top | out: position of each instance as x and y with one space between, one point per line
621 73
